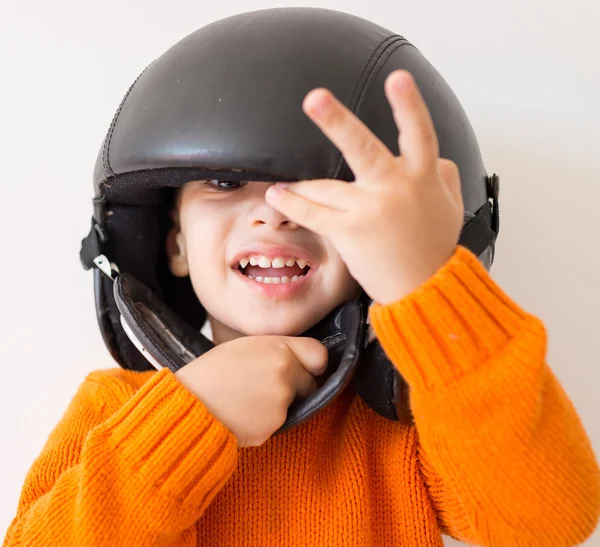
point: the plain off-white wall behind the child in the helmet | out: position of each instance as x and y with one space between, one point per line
526 73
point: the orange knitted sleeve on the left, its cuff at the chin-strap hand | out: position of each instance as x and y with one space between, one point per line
125 467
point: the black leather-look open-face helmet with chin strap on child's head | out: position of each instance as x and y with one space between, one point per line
225 103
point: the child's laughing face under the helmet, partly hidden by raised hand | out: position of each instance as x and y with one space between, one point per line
215 229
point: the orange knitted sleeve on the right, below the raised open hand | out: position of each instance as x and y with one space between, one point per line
504 453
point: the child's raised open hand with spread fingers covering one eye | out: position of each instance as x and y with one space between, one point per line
400 220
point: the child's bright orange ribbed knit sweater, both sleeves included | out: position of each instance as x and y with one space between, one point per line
497 455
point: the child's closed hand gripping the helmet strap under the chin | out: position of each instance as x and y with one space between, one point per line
249 383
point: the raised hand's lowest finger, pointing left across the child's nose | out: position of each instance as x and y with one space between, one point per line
307 213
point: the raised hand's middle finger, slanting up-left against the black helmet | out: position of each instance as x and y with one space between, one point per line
365 154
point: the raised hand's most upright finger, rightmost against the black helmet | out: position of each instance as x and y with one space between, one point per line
418 141
